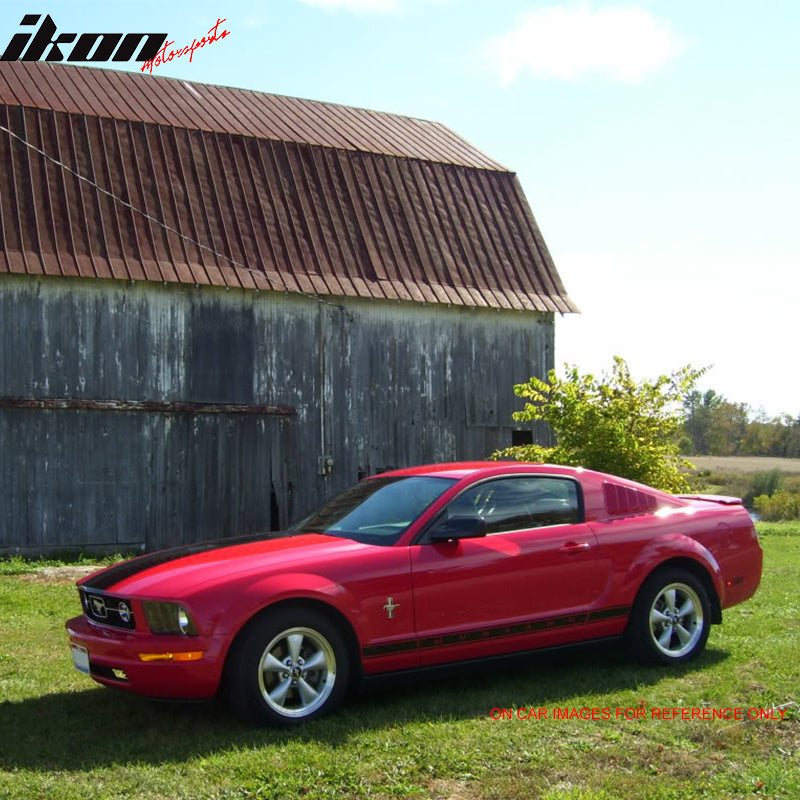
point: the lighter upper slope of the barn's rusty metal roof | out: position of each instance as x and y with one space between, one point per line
181 104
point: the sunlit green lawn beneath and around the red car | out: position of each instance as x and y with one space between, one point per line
62 736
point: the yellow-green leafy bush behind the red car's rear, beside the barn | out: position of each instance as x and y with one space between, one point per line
612 424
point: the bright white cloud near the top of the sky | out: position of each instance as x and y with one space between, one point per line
568 43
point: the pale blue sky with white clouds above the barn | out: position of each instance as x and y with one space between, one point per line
657 142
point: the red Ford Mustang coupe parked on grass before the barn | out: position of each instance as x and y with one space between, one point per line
414 568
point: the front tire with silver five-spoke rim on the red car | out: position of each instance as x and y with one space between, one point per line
269 681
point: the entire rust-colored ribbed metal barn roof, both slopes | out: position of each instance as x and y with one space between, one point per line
191 183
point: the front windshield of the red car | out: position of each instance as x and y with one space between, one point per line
376 511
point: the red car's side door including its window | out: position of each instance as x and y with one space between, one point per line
529 582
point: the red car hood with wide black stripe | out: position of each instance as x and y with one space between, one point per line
171 572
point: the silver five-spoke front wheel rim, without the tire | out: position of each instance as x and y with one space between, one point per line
296 672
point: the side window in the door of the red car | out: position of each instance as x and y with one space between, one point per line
519 503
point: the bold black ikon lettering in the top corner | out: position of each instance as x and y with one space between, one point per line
89 47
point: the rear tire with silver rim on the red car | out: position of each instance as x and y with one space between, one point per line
671 618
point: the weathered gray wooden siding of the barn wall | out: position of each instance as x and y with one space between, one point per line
374 384
